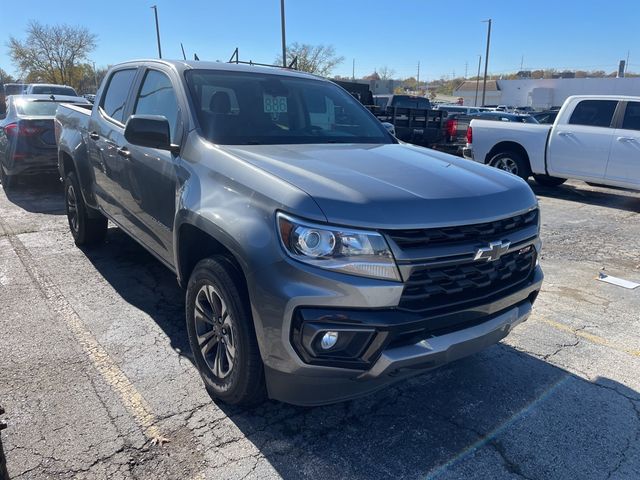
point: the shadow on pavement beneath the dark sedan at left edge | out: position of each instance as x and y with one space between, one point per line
42 194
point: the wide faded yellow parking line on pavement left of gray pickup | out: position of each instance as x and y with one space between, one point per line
132 400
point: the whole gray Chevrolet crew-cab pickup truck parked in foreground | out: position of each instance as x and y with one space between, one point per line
322 259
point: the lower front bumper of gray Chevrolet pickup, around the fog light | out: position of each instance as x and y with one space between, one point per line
407 345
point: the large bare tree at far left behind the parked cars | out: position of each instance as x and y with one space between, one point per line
52 53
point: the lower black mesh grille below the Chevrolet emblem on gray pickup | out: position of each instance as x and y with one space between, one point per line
463 285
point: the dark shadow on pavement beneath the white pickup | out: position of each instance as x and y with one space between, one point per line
621 199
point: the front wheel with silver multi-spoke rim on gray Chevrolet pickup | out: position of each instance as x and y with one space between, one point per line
222 335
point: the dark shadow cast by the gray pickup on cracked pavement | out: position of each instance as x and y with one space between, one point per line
501 412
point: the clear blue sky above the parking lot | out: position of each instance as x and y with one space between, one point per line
445 37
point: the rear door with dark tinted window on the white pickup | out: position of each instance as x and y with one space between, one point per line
580 148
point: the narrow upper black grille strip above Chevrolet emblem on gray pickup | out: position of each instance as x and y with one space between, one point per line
481 232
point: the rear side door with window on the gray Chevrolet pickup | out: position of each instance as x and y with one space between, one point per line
104 142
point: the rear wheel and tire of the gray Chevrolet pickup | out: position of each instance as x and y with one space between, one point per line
86 230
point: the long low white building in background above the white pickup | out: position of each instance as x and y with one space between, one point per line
545 93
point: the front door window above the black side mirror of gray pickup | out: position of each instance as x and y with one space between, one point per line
157 97
